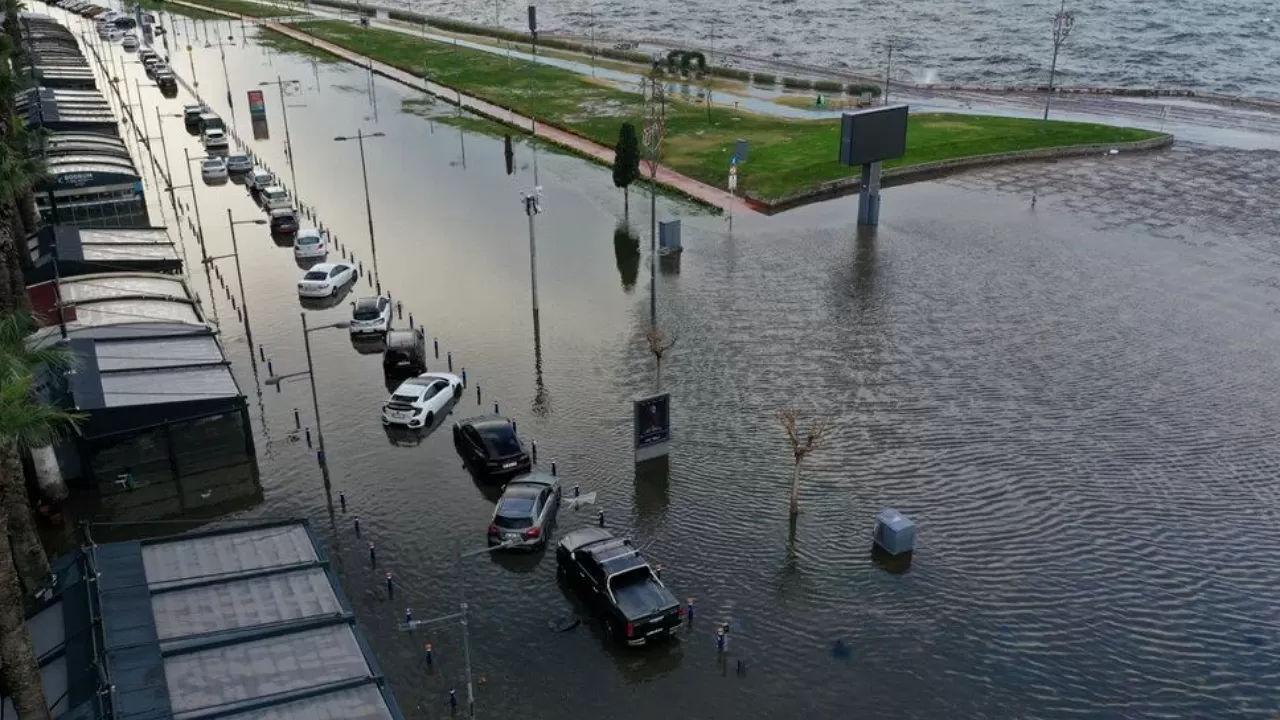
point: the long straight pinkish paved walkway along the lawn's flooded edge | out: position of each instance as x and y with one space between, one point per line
668 177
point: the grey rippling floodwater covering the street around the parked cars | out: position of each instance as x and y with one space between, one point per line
1081 421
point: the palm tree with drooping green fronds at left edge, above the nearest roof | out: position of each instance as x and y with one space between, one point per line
26 425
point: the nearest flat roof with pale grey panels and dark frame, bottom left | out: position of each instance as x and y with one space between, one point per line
240 623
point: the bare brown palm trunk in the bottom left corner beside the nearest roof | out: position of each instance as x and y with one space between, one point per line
20 669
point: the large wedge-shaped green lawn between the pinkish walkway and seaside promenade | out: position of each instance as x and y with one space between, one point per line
787 156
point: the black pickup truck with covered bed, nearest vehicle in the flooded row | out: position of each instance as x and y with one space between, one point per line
619 586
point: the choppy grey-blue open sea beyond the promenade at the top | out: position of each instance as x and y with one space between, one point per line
1227 47
